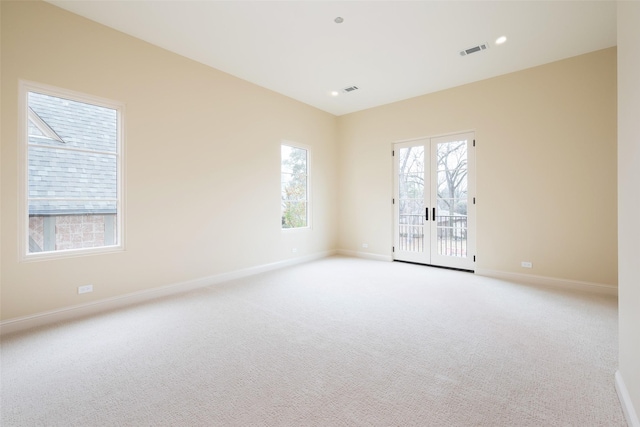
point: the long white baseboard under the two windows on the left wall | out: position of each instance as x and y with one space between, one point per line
81 310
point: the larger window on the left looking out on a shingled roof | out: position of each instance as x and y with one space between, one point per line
72 176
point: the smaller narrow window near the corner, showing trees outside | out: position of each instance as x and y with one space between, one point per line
294 186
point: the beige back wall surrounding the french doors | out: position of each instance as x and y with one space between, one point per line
546 167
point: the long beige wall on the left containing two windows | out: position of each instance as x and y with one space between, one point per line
202 162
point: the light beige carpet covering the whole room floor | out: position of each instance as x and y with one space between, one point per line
337 342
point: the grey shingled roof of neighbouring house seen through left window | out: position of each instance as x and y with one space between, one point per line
75 173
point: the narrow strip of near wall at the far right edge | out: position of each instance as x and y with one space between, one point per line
629 197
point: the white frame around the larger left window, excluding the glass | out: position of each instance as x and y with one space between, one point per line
24 87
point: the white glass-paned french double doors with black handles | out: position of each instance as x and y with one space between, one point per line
434 201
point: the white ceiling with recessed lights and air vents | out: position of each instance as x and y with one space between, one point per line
391 50
